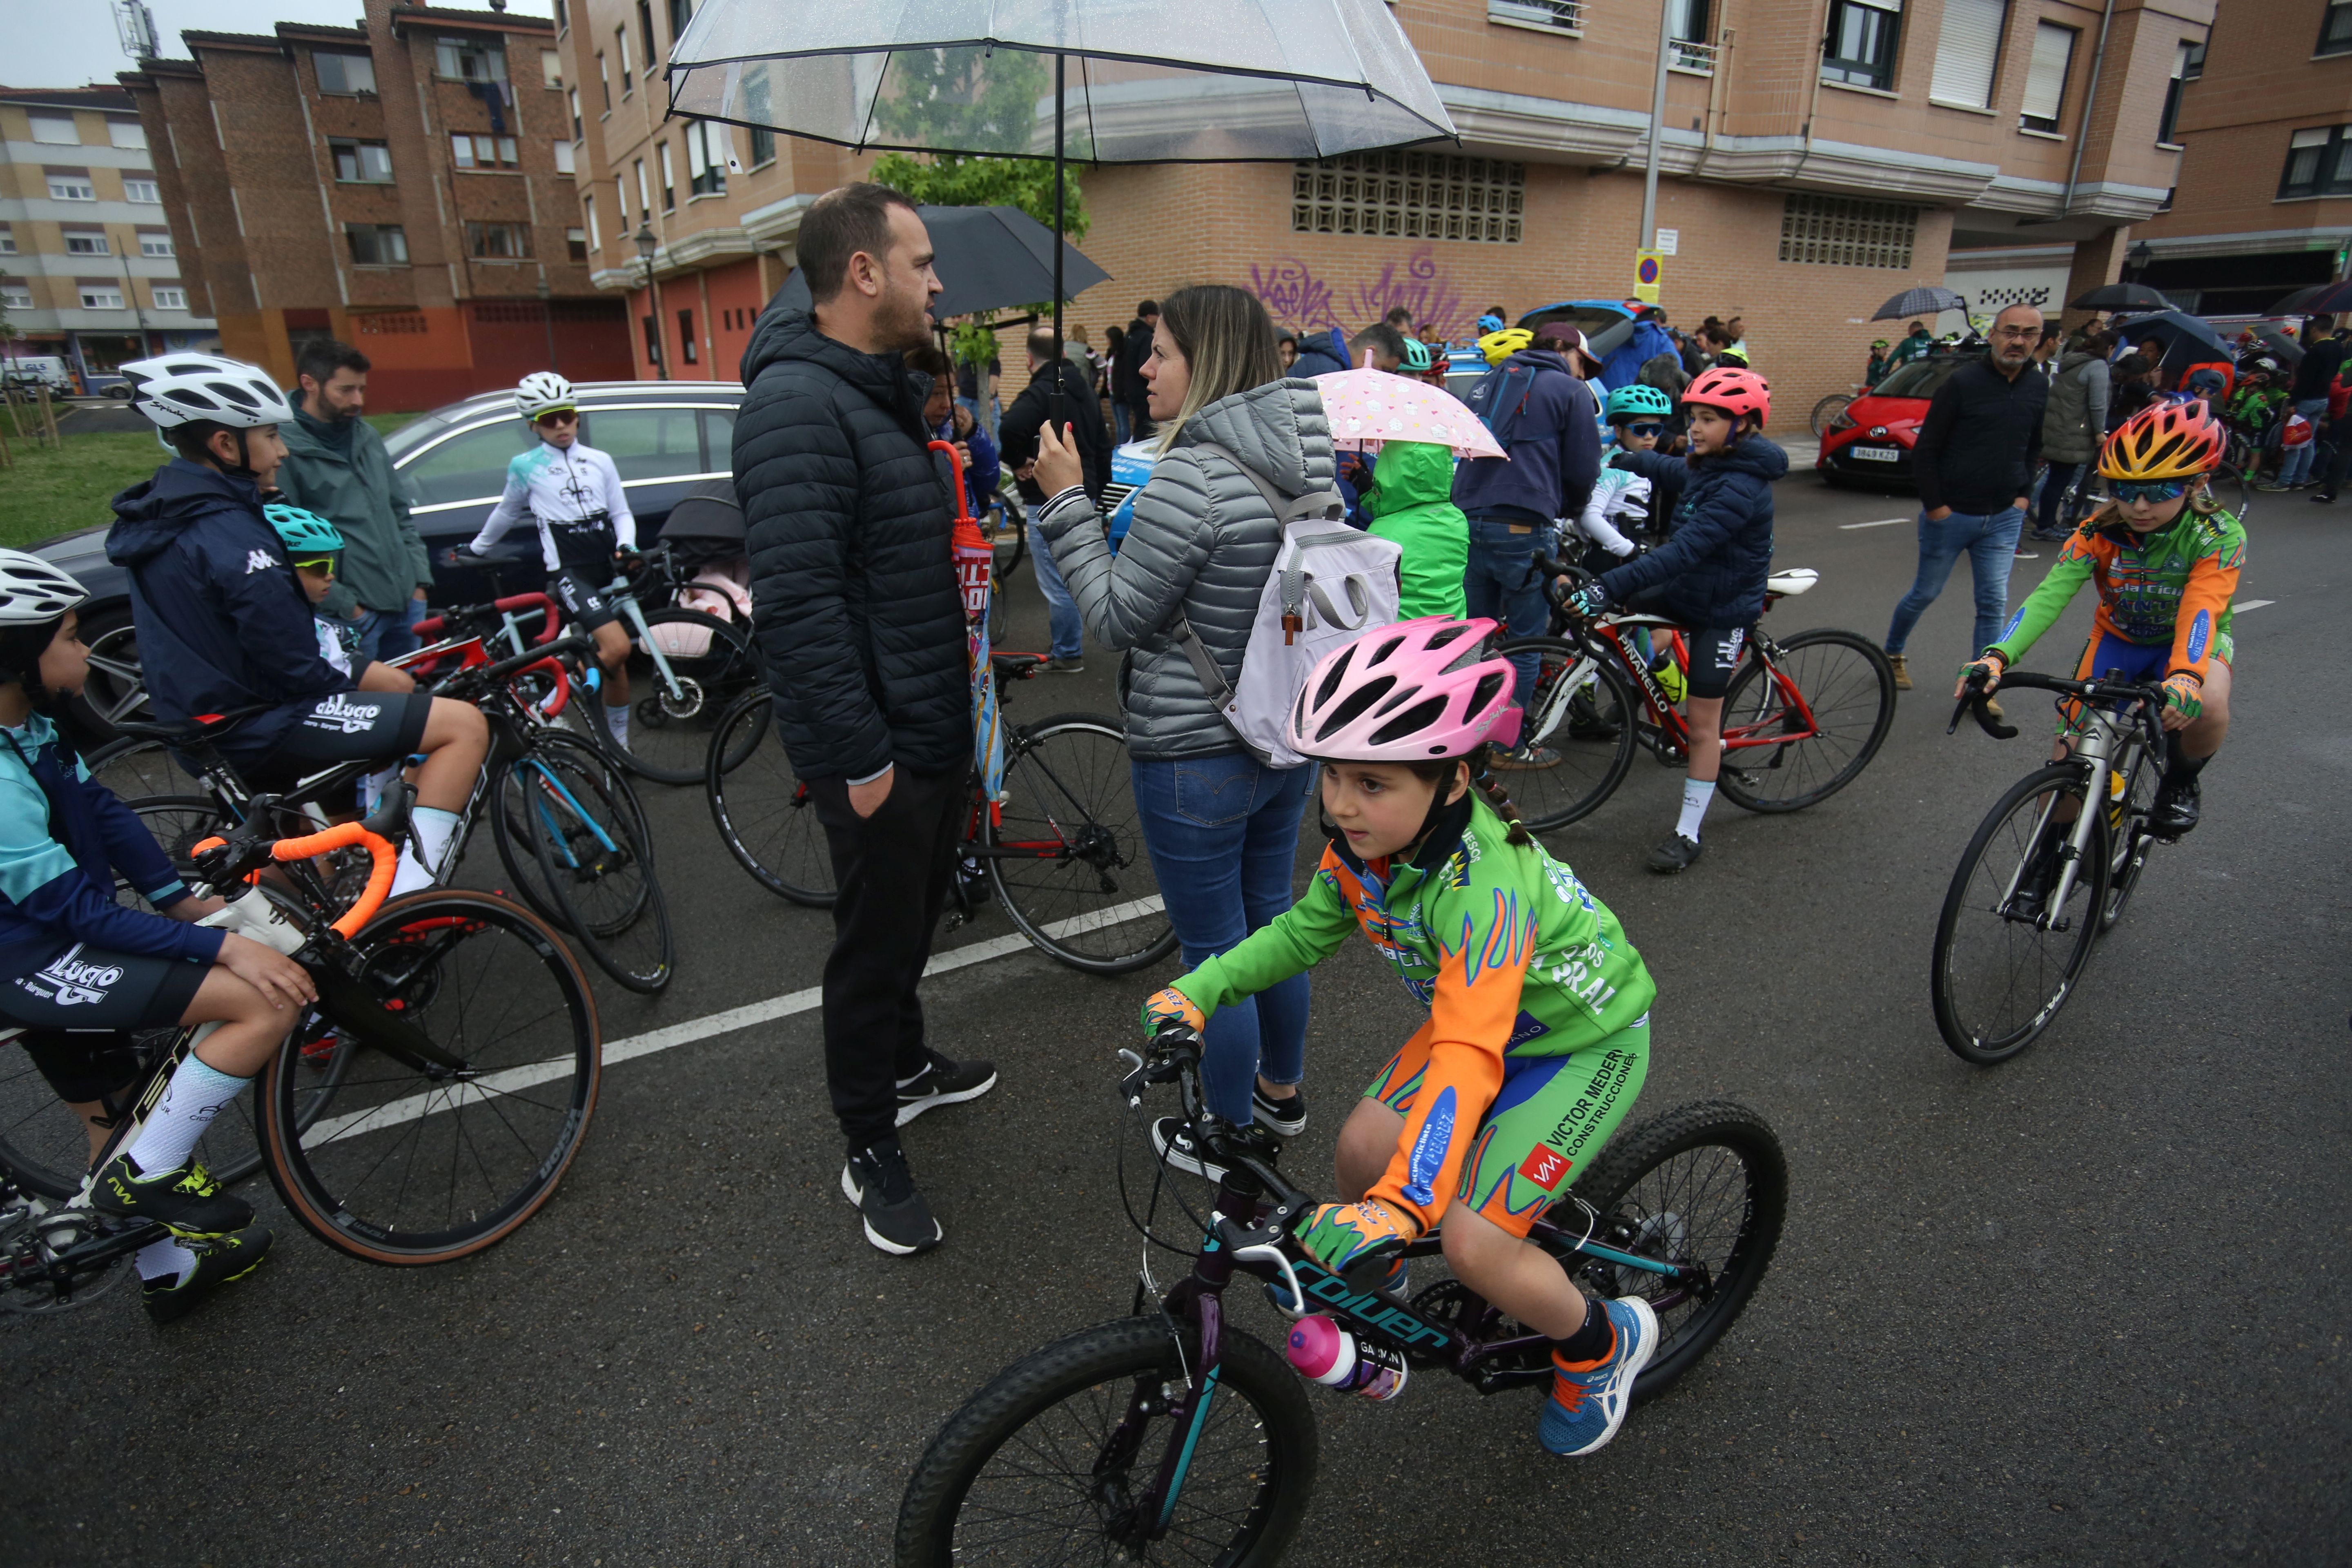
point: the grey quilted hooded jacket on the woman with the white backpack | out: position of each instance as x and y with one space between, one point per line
1203 542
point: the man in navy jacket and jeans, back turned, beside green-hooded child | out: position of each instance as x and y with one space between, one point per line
1556 453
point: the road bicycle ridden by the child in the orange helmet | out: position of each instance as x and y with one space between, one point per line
2045 878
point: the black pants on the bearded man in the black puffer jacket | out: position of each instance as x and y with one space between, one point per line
893 873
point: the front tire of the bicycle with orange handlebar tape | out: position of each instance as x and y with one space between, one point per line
290 1165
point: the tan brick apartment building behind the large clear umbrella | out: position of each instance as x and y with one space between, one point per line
1819 156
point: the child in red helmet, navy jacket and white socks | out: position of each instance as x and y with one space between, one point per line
1709 577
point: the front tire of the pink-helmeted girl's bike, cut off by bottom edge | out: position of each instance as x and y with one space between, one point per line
1107 1353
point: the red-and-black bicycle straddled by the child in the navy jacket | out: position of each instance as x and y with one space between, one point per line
1803 718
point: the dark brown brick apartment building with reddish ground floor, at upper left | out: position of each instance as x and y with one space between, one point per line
403 185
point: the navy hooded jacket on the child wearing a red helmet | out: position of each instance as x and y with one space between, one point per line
1711 572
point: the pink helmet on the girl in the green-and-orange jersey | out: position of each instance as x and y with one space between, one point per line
1408 692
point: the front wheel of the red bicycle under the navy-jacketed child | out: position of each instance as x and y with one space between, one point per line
1579 735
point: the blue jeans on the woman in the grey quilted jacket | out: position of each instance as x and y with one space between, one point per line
1224 836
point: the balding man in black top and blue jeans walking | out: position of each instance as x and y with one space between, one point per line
1975 462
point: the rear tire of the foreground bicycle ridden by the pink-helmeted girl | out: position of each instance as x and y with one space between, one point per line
1633 1153
